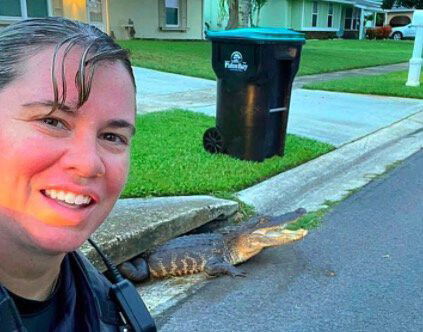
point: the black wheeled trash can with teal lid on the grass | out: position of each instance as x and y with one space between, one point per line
255 69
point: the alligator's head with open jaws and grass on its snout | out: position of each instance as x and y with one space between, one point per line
263 232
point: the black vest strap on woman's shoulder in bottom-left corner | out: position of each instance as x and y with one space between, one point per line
9 316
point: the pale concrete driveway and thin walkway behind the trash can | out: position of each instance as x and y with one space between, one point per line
331 117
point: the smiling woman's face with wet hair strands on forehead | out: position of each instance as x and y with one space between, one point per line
60 174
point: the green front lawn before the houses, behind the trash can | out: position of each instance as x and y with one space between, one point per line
193 58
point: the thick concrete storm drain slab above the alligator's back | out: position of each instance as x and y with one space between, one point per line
135 225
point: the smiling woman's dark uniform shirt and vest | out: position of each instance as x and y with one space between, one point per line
81 302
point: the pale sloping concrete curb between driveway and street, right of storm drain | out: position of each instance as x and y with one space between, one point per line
334 175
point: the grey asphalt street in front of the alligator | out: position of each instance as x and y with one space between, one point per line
361 270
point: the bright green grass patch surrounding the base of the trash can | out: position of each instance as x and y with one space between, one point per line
168 158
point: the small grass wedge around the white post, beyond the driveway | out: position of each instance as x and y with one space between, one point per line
392 84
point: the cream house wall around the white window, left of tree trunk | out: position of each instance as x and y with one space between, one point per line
145 15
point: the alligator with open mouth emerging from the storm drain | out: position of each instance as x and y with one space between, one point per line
214 253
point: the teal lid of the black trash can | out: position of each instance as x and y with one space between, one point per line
257 34
